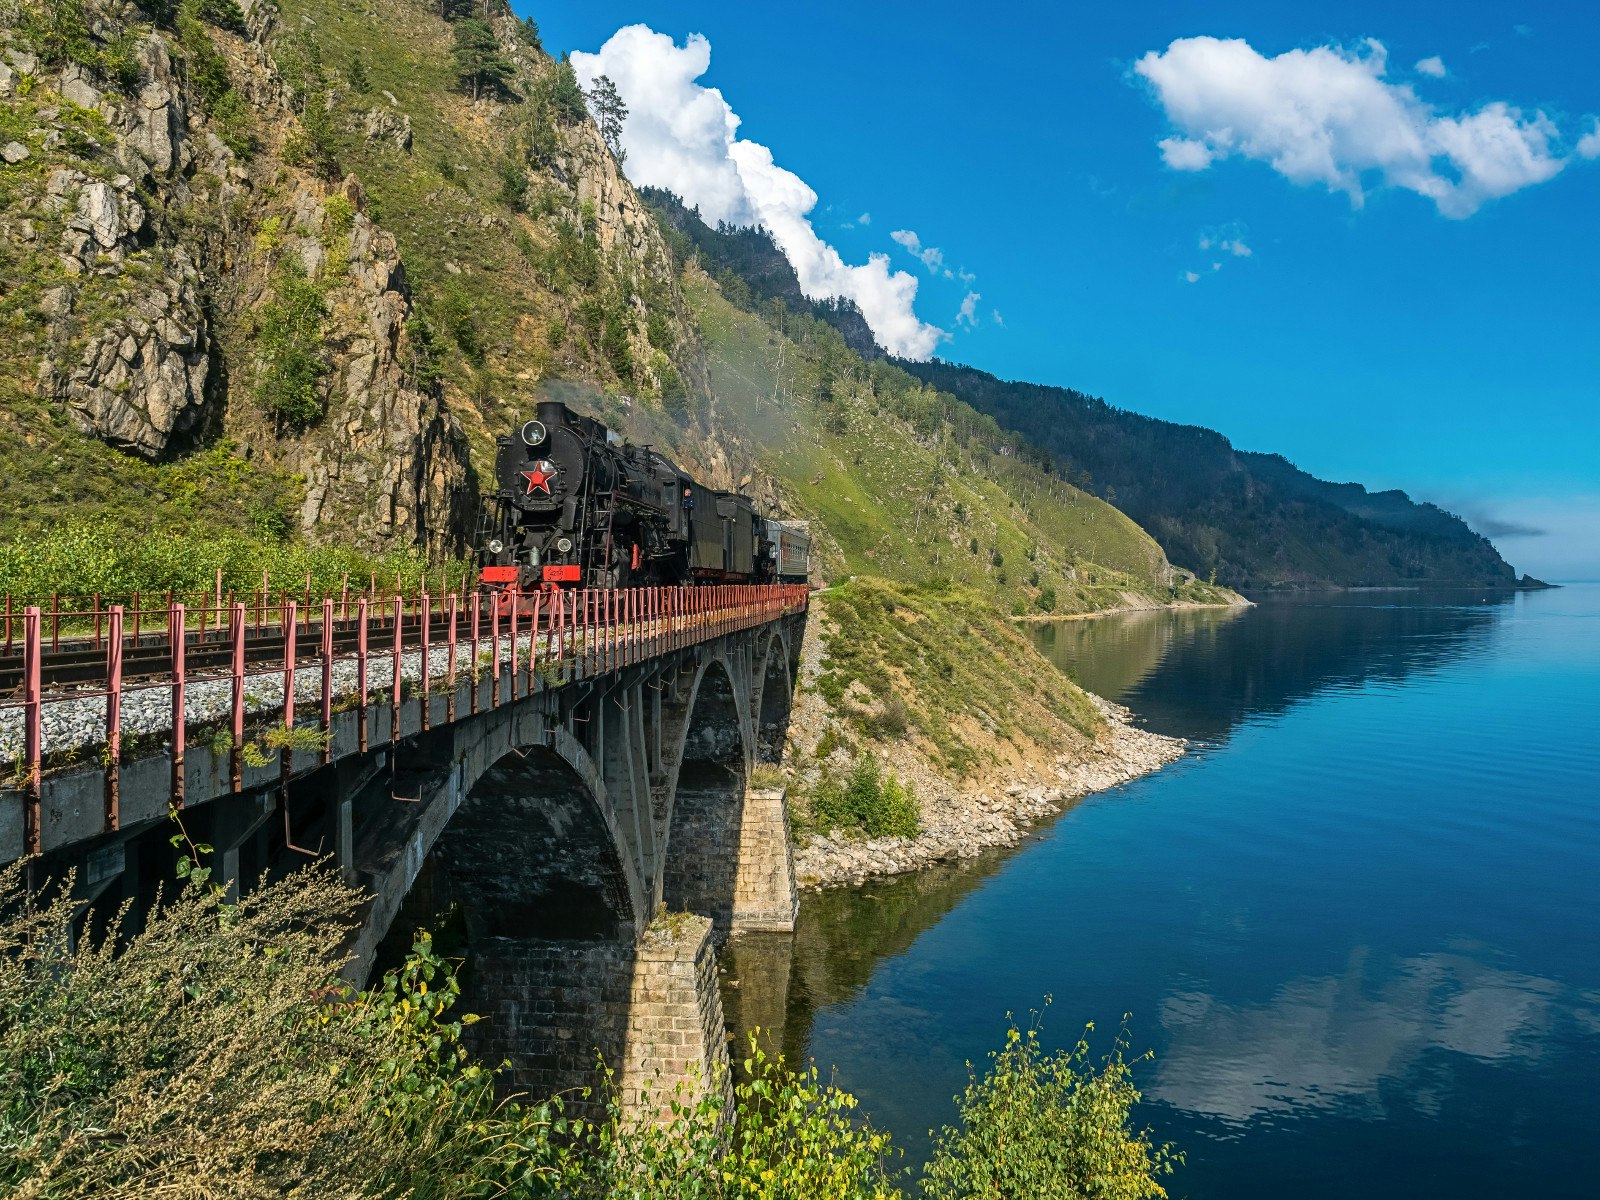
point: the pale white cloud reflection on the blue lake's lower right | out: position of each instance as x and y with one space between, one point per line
1330 1042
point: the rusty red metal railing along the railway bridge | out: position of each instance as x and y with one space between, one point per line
554 639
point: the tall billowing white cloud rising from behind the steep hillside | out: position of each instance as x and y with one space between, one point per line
684 137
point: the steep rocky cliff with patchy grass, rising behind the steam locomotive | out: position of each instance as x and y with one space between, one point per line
218 231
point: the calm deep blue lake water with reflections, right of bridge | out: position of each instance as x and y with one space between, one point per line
1358 924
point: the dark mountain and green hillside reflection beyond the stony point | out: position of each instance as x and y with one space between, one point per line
1199 673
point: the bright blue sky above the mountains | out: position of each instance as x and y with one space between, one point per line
1442 335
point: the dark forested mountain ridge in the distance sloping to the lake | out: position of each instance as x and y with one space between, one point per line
1247 519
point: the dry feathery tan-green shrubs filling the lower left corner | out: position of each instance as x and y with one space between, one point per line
217 1044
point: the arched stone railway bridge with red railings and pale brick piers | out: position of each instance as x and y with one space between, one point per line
562 785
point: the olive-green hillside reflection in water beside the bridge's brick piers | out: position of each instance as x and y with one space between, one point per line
780 982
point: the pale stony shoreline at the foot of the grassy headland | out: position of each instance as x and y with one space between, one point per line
961 826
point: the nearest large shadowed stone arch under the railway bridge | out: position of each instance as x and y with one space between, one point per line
530 881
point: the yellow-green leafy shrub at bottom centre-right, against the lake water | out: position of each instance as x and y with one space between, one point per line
1049 1126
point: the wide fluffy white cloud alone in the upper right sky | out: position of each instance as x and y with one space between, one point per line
1327 116
